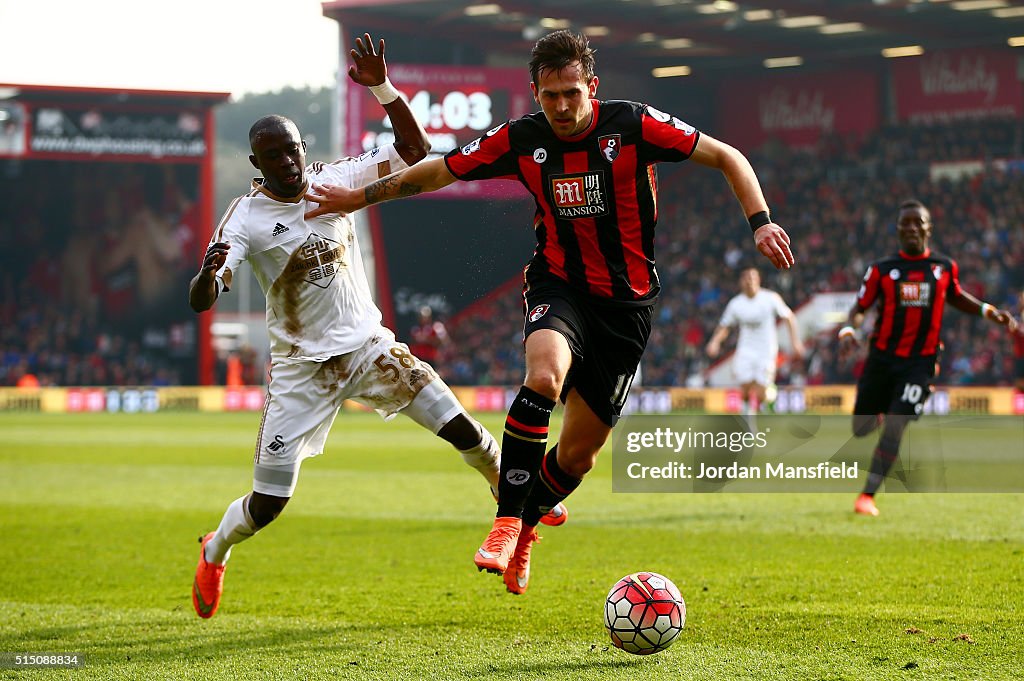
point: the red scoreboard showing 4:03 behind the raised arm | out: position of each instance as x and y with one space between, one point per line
455 105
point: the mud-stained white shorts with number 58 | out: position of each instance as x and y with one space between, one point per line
305 398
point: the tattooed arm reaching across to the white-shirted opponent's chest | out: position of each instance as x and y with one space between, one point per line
421 179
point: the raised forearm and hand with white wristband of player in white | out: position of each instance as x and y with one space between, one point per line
370 70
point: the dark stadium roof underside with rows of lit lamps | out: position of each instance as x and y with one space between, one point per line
708 36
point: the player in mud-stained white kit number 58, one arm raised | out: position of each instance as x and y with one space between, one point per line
327 343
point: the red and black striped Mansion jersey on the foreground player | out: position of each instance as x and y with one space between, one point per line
596 193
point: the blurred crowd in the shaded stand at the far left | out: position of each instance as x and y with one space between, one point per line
92 286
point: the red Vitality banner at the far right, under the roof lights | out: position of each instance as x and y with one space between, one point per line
957 86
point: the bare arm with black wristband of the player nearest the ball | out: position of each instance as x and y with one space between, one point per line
772 240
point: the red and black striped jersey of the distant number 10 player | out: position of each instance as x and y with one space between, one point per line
912 294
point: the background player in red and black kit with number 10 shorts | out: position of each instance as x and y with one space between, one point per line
911 289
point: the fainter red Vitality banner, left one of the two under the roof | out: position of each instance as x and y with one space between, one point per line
798 109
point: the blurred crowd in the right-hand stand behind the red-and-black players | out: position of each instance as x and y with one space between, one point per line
838 202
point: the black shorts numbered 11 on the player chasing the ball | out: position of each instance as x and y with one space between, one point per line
607 342
